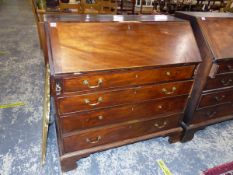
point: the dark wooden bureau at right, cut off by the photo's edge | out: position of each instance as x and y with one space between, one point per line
212 96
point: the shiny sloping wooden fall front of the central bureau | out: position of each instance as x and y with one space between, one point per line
82 47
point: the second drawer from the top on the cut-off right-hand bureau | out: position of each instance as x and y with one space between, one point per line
220 81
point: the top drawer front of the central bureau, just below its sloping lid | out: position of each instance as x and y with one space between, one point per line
106 80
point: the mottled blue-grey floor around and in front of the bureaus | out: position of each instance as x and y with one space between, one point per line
21 80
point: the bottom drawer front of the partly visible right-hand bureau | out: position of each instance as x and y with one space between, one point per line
213 112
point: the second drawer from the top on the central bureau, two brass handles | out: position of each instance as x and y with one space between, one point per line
77 103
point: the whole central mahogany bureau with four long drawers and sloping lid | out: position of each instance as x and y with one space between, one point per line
118 79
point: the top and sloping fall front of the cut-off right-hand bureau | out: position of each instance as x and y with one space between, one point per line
217 29
